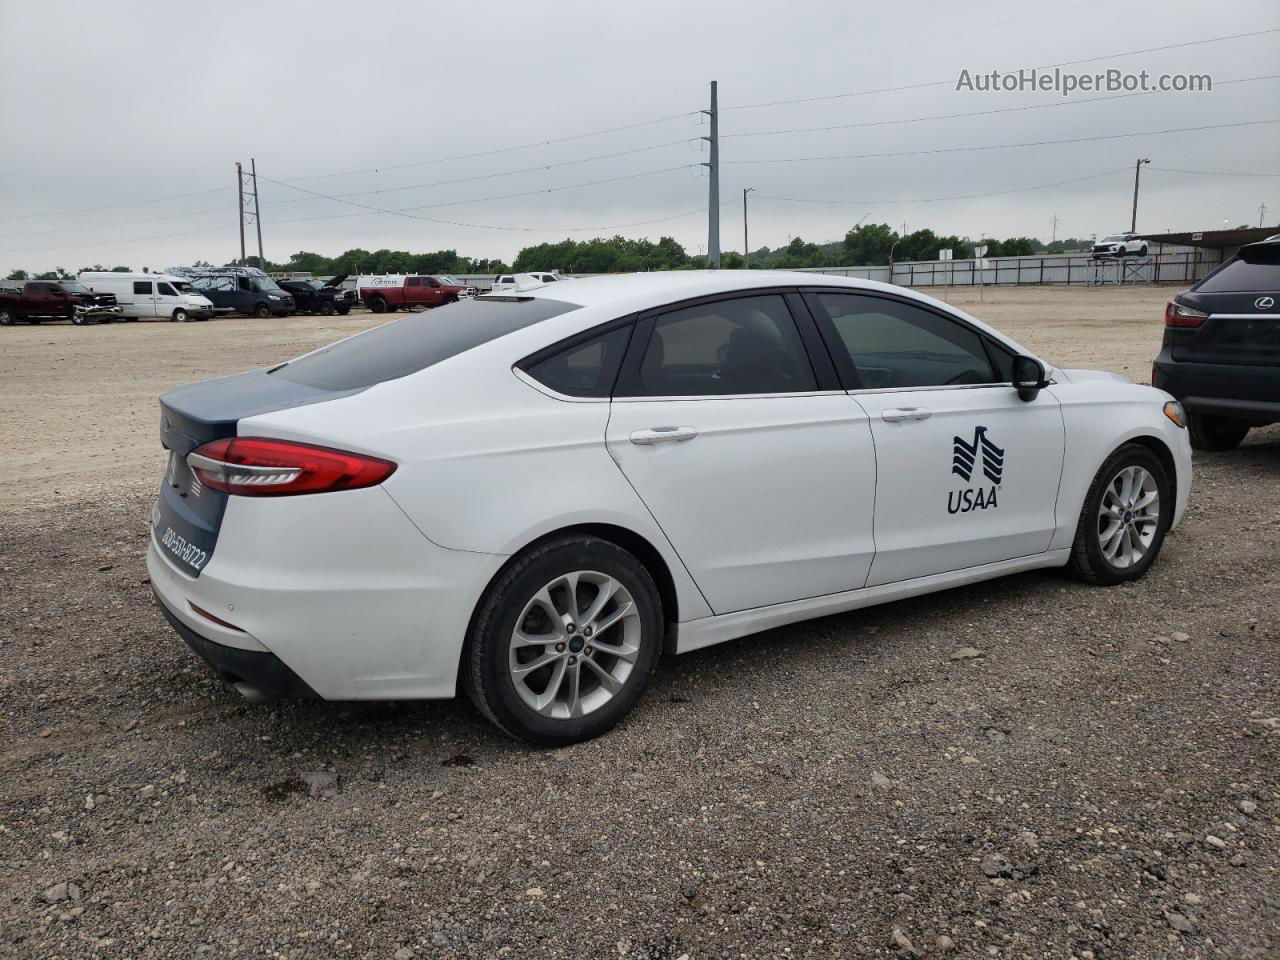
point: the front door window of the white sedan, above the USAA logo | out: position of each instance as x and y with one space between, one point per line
892 345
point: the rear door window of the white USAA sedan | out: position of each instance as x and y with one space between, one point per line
728 348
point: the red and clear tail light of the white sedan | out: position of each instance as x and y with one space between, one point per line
258 467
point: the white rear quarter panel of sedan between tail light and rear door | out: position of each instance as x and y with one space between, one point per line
487 463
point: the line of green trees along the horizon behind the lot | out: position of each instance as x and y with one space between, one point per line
866 245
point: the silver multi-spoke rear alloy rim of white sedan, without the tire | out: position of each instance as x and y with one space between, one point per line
575 644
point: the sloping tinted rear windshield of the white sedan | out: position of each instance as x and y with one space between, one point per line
417 342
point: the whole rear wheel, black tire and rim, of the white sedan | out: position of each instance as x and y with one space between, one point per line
564 643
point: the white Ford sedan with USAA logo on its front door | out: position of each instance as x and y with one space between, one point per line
532 496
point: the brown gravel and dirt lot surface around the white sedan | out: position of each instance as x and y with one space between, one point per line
1025 769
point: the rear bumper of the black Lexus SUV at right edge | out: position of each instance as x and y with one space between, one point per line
1235 391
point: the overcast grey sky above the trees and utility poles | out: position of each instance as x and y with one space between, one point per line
111 104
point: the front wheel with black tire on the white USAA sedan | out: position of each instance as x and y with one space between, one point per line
1124 519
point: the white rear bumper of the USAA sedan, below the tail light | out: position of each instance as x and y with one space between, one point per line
340 589
